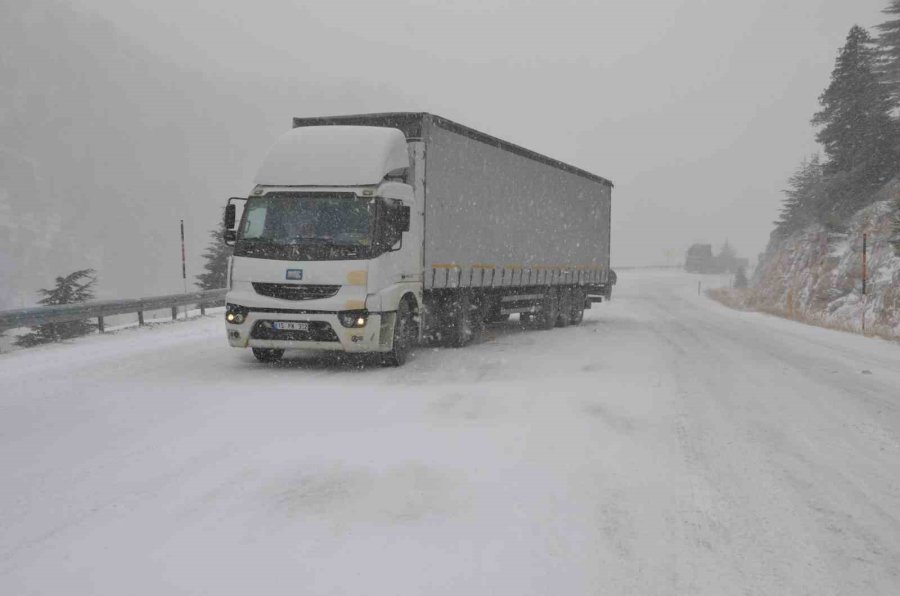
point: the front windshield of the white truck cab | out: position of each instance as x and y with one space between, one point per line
339 219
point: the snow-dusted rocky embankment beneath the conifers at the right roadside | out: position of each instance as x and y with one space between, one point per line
816 276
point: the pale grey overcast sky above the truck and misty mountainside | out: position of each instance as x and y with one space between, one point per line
698 110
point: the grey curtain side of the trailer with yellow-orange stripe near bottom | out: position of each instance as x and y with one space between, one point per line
494 217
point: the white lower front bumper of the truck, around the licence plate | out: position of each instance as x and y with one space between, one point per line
324 332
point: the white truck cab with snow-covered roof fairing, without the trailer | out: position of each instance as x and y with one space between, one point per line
328 248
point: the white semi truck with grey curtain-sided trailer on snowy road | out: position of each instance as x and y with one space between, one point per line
372 233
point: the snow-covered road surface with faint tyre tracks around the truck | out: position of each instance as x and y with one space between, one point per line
667 446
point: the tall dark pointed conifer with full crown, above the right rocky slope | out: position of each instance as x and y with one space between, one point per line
857 131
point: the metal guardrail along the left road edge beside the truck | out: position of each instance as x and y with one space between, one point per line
98 309
